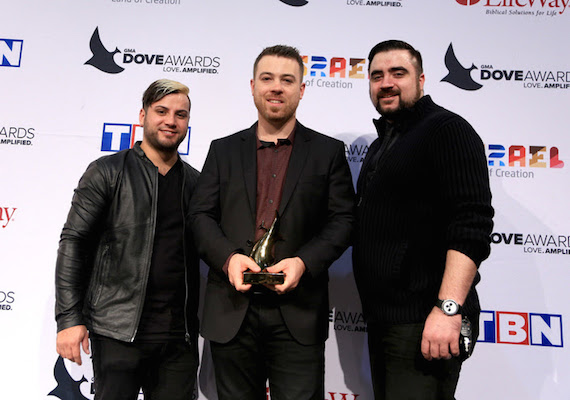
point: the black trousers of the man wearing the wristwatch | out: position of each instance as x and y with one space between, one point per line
400 372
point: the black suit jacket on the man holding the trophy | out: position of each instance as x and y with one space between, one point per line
316 212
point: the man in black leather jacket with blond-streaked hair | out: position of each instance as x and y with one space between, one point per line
127 270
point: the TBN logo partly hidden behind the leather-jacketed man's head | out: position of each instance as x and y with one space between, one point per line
117 137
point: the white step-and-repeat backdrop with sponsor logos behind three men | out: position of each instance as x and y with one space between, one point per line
72 73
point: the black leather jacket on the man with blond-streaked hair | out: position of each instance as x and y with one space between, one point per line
106 244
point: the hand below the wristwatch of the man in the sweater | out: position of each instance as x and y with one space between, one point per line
440 339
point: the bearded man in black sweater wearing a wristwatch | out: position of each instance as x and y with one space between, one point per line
424 217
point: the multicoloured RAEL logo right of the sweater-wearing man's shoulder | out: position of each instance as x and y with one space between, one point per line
521 161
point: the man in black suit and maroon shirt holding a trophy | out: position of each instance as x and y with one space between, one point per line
274 332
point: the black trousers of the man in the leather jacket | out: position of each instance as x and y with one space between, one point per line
164 371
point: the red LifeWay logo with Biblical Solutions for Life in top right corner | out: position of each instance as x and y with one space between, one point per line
520 7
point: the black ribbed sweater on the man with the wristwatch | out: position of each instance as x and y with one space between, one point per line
429 193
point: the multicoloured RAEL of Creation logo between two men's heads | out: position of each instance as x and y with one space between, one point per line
333 72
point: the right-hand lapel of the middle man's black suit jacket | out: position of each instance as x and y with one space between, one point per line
297 162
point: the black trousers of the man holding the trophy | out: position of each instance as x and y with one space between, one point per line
264 349
